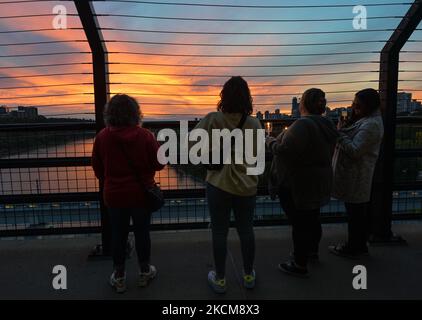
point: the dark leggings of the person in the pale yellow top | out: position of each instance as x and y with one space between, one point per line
220 205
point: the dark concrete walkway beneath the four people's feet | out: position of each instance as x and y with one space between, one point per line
184 258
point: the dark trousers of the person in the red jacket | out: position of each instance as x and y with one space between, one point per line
120 222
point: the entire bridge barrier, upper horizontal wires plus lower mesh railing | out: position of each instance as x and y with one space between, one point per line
47 185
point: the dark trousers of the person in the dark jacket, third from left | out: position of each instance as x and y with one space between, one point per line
306 228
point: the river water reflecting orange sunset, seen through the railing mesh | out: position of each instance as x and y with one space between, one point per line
73 179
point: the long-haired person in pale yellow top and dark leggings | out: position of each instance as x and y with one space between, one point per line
229 188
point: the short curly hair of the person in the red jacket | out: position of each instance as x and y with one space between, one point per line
122 111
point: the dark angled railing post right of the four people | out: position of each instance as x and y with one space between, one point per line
388 86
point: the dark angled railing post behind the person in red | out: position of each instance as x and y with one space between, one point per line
100 78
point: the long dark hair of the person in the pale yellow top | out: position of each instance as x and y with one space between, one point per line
235 97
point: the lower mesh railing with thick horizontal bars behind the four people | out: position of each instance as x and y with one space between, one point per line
48 186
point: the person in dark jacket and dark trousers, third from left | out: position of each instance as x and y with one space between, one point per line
303 171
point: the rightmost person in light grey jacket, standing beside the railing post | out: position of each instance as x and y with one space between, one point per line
354 163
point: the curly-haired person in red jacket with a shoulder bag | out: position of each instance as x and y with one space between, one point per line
119 149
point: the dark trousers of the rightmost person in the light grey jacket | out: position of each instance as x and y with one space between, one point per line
357 225
